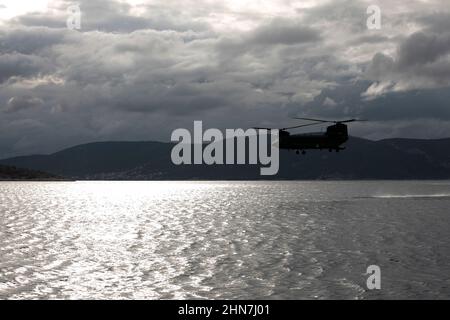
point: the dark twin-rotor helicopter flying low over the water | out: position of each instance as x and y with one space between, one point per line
332 139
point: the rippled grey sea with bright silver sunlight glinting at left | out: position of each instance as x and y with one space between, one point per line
225 240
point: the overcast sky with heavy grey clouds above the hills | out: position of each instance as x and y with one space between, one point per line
138 69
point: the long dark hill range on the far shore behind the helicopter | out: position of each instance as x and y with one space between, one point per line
363 159
